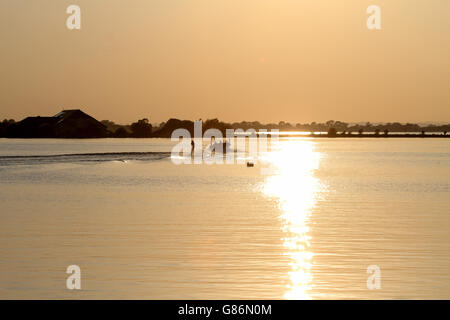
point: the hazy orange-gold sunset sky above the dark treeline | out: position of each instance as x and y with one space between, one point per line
266 60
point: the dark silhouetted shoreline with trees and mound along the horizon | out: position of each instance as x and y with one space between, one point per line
77 124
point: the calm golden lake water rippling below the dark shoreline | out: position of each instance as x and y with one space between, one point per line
304 223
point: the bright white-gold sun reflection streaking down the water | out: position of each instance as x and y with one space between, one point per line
293 184
